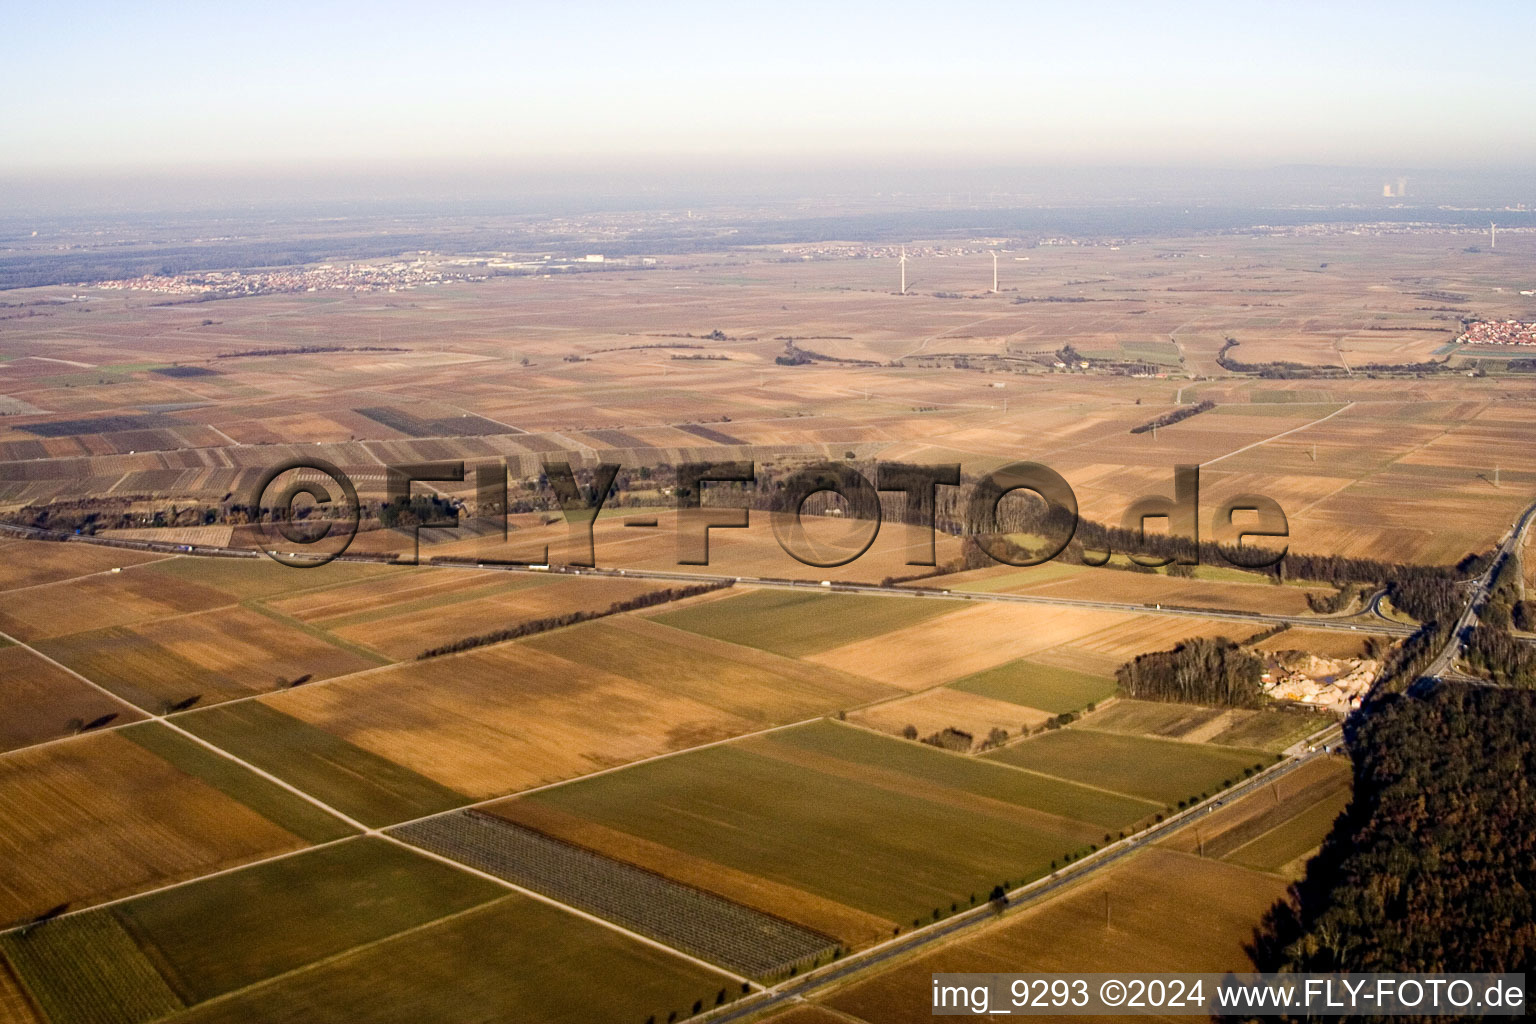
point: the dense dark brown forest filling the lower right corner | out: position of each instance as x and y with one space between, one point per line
1432 868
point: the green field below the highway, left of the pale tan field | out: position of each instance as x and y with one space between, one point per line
798 624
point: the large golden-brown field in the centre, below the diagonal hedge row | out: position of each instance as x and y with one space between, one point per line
569 702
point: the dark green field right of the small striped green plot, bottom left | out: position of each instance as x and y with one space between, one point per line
247 927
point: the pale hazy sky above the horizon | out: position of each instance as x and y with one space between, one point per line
116 87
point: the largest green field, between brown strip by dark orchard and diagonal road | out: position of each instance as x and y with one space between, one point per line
882 825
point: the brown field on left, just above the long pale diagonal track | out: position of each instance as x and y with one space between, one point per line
217 656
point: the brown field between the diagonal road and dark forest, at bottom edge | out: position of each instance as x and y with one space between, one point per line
1217 907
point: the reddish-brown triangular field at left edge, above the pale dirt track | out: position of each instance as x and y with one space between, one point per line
44 702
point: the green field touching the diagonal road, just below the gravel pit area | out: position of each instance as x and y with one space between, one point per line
1156 770
